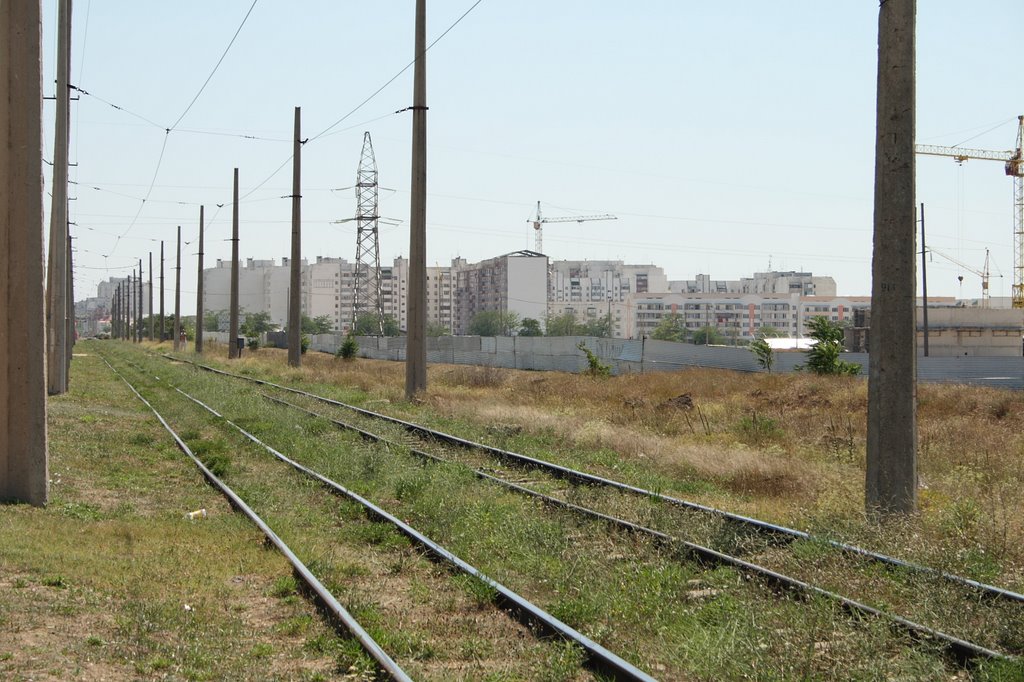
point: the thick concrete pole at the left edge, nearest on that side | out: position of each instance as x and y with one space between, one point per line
24 465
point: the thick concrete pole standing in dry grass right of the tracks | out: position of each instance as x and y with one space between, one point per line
892 432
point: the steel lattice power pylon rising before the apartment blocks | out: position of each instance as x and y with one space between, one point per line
367 288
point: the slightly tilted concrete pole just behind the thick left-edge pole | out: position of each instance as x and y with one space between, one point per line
57 272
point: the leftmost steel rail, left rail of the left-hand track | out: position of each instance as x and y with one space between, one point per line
334 607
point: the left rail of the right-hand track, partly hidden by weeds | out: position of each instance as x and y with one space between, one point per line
963 651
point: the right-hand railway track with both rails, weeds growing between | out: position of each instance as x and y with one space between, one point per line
977 594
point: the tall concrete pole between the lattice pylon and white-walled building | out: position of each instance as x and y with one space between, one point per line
416 335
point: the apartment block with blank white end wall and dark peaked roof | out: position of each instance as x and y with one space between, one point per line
515 283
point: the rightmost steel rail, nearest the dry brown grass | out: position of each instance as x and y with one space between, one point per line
586 479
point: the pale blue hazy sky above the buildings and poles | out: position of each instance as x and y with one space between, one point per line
724 136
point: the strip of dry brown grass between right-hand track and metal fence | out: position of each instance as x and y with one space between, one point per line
790 448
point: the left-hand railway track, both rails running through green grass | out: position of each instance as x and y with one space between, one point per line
595 657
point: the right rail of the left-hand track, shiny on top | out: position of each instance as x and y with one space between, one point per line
599 658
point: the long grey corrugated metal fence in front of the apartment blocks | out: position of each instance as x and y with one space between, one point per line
625 356
